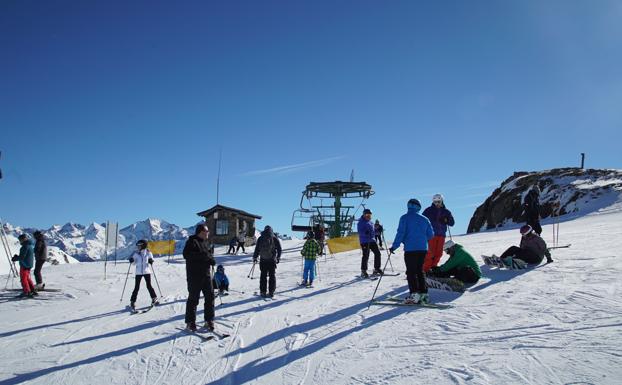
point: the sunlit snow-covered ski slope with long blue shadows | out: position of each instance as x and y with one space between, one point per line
556 324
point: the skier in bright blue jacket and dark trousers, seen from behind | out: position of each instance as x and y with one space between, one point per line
414 231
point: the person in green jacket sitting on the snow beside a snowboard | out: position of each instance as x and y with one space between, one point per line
460 265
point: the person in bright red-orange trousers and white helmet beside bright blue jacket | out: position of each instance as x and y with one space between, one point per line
440 218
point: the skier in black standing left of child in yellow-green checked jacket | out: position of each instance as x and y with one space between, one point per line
268 250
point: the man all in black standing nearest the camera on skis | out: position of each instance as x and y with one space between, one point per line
199 256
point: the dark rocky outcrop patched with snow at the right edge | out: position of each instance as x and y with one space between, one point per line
563 192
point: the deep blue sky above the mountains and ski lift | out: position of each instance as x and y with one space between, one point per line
116 110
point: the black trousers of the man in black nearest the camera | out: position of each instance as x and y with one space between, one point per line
199 280
